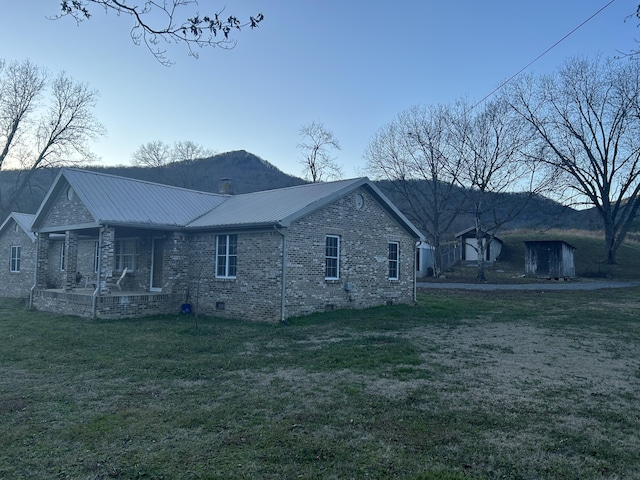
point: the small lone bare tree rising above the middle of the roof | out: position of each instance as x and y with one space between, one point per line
316 146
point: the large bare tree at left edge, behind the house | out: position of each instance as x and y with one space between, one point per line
43 123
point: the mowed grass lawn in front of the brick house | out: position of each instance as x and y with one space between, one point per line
465 385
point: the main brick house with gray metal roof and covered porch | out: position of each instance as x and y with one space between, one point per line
111 247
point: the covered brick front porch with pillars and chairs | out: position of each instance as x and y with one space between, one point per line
110 273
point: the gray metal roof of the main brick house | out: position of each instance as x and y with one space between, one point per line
123 201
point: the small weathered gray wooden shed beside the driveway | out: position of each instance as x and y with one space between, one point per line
549 259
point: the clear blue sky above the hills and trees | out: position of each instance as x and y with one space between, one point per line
352 66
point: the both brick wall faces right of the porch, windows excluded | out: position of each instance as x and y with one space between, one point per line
255 293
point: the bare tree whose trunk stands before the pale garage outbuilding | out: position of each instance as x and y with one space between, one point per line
495 147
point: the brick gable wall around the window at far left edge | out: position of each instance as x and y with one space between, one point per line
16 284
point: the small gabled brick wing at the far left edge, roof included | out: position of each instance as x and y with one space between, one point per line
18 251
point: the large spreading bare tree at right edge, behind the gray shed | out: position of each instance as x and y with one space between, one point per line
587 117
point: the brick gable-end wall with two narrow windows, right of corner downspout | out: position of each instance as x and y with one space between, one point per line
365 234
